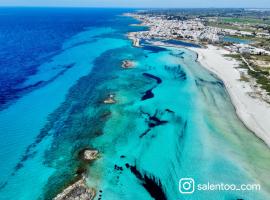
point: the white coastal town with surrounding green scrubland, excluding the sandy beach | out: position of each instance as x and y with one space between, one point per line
255 60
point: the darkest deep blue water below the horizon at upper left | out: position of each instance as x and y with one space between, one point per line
31 36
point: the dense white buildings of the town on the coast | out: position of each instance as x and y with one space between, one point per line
193 30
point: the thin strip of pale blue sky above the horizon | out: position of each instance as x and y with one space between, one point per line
142 3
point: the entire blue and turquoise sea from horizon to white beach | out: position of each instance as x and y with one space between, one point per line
173 119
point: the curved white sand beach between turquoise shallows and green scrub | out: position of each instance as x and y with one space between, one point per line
255 113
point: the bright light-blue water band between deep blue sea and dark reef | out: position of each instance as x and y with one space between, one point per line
36 107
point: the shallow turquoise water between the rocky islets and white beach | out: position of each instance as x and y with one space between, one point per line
203 138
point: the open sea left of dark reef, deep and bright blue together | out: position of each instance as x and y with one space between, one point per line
43 53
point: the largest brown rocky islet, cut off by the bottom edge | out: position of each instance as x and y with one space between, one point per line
77 191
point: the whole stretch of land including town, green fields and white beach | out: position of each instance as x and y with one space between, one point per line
234 45
